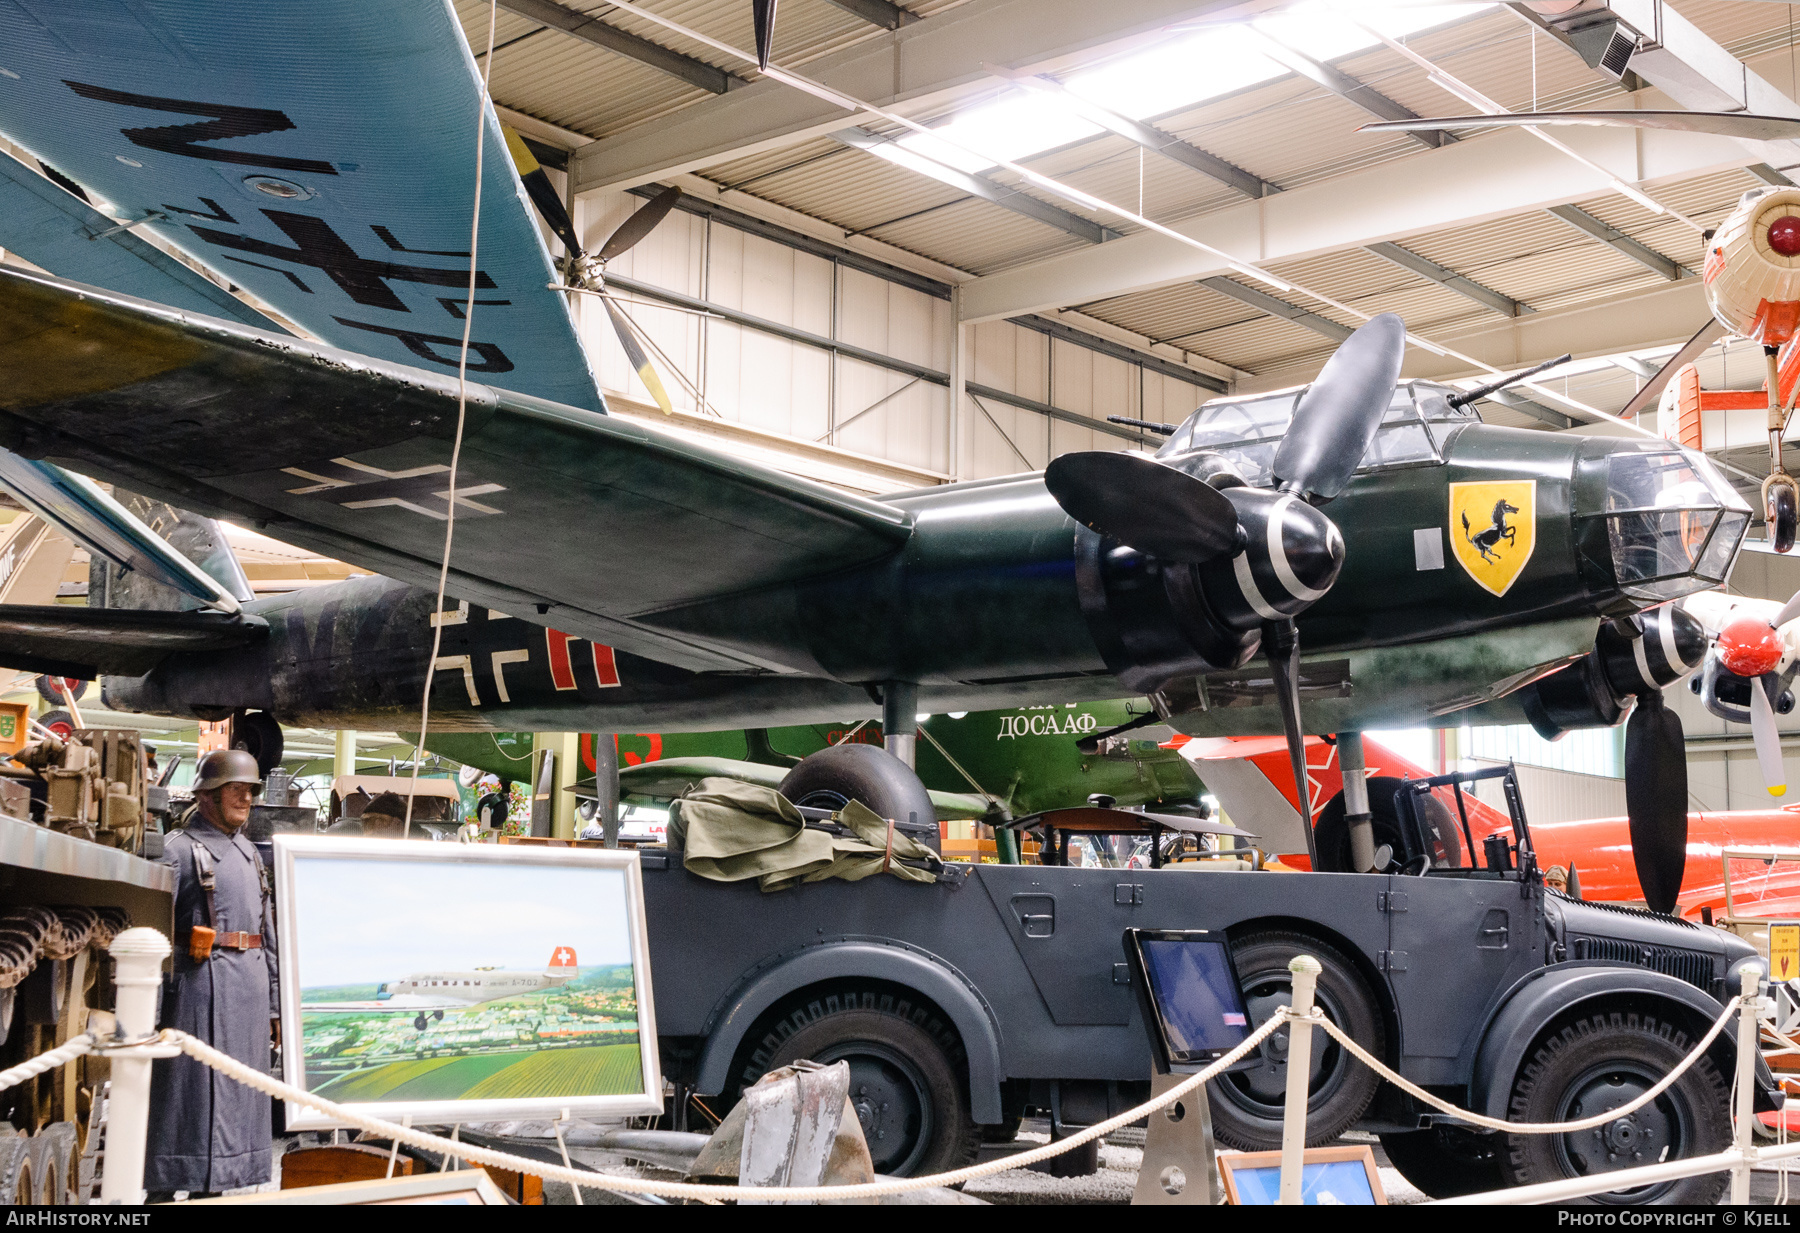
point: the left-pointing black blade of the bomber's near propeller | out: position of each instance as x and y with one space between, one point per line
1146 505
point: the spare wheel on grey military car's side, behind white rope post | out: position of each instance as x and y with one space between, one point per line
1248 1104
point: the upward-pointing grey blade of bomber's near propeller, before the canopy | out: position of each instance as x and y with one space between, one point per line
1342 409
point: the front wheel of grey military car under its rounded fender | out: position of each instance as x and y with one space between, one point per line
1605 1061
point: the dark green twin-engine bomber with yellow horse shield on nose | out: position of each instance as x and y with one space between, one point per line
1356 553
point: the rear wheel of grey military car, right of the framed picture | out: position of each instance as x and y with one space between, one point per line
908 1074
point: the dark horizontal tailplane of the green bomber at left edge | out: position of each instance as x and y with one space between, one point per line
84 643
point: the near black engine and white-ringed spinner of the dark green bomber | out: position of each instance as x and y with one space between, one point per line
1156 620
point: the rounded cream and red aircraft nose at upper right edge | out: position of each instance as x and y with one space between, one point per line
1754 267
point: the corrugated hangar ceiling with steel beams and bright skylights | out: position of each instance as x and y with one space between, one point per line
1430 228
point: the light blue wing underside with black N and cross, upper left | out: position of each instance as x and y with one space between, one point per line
321 156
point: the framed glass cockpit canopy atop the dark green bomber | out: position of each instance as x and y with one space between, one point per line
1250 429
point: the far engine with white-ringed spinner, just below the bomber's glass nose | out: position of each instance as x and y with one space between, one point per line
1597 690
